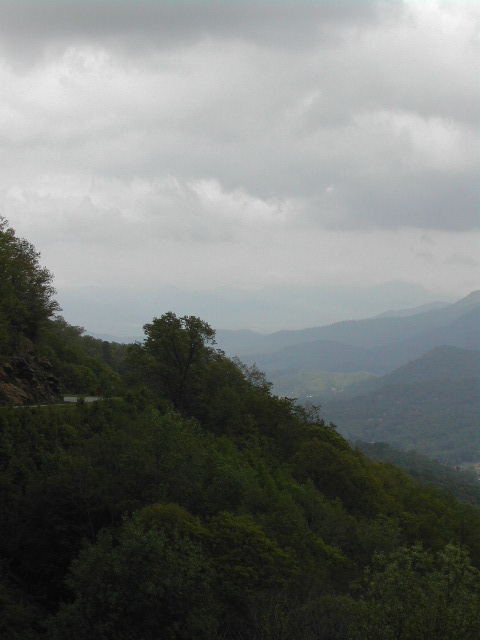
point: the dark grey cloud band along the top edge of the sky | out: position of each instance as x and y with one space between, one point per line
159 25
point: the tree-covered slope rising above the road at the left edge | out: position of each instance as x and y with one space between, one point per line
43 357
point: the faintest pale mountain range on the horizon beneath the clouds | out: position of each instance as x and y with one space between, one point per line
122 310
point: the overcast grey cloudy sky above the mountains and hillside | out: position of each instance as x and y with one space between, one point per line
261 164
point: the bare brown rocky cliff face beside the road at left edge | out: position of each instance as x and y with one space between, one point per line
27 380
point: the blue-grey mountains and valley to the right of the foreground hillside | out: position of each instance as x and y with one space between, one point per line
411 379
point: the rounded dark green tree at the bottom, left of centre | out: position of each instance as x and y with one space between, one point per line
146 582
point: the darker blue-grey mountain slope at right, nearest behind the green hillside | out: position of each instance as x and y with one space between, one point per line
431 405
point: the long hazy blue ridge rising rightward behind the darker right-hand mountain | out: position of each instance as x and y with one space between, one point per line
376 345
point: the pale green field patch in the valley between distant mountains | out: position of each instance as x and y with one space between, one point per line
301 384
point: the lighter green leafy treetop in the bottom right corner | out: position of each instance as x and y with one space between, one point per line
411 595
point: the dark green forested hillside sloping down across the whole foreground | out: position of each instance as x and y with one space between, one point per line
190 502
